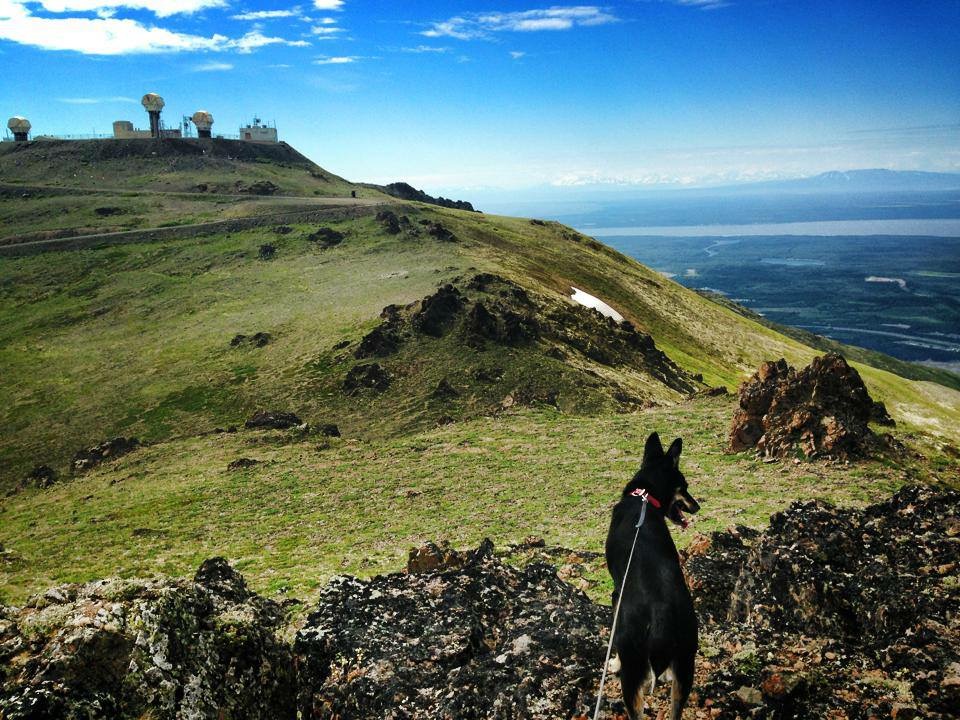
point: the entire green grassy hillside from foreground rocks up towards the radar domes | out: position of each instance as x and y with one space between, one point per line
494 407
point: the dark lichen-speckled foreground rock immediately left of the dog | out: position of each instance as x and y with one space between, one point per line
483 640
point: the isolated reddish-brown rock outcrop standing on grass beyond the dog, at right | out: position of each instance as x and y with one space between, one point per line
822 410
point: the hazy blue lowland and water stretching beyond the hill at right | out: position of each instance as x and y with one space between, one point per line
878 270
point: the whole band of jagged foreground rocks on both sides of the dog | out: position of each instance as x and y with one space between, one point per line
828 613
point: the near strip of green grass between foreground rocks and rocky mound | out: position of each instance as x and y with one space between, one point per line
316 507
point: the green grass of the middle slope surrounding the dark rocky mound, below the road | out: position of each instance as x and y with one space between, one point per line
134 339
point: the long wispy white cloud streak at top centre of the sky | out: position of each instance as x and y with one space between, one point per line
481 25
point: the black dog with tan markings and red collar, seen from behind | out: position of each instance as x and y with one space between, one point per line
657 626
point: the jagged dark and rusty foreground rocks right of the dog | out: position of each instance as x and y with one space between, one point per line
833 612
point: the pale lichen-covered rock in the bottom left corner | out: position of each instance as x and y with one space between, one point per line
161 649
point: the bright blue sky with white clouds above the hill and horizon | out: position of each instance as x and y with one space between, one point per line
474 94
